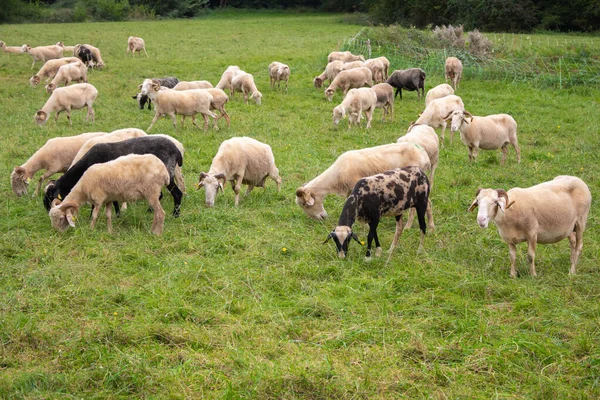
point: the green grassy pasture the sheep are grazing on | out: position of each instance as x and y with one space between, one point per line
246 302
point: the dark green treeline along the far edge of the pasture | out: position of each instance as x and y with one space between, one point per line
485 15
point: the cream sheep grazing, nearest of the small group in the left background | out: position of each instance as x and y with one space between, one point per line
66 98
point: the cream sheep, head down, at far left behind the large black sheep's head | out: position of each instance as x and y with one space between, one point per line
54 156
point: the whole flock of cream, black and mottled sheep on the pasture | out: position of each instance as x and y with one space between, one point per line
103 169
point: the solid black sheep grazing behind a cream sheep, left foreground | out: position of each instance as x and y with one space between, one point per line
161 147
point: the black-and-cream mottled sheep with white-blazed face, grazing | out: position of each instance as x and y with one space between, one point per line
388 193
